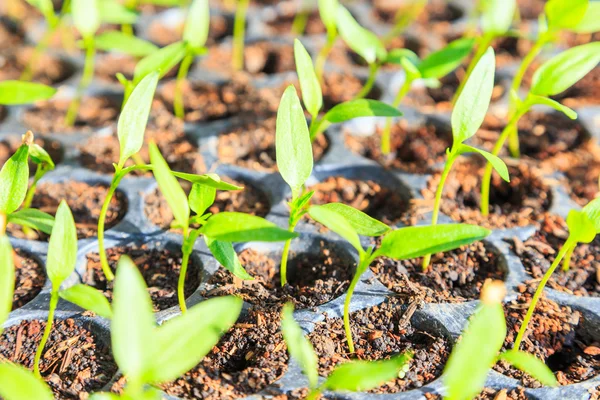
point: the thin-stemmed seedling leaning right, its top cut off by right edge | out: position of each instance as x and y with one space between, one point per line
583 226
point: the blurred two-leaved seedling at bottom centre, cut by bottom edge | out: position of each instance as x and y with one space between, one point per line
353 376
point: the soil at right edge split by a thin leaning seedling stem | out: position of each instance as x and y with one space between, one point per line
538 253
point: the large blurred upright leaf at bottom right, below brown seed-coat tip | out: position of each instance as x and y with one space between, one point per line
475 354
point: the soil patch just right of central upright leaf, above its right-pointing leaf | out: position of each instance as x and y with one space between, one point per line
367 196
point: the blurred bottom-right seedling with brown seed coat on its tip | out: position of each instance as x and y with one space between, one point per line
479 349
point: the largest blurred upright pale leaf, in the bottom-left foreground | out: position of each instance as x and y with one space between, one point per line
132 323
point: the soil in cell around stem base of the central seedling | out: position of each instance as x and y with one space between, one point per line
312 279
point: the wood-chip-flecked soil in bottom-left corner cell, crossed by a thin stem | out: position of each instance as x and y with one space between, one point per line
74 362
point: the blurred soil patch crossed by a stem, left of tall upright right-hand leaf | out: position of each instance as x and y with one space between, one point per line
413 149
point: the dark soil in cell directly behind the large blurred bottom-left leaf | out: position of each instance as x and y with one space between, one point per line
159 267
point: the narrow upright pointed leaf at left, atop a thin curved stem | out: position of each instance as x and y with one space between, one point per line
62 249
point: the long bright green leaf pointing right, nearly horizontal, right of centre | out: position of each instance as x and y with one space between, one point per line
418 241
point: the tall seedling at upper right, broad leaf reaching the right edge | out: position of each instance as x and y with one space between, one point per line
553 77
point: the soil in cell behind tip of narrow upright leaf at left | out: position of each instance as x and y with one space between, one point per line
85 201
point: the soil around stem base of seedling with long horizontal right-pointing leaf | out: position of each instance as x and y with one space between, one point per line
380 332
